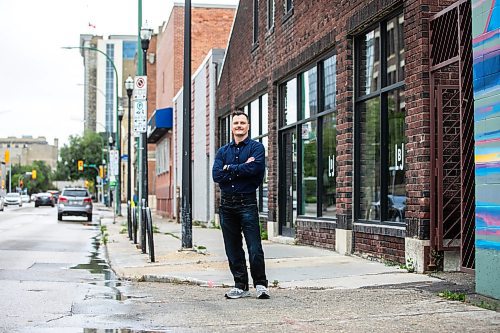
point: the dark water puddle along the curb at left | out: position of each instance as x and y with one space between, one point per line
98 265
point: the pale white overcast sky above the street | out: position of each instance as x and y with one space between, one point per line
40 83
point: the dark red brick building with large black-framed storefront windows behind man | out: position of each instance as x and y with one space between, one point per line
339 94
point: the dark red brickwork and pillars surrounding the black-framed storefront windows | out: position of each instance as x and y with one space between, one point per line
314 29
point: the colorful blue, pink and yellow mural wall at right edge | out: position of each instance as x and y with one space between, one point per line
486 53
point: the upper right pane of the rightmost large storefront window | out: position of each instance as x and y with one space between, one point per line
395 50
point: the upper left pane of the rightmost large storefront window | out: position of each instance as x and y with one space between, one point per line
369 65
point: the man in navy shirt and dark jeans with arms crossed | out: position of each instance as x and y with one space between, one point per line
239 169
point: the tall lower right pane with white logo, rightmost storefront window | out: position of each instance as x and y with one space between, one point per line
395 173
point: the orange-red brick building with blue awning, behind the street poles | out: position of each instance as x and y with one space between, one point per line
210 28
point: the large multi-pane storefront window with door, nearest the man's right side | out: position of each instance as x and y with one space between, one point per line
307 144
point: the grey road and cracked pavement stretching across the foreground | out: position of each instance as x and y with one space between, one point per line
41 290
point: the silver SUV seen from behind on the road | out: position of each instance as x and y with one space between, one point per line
74 201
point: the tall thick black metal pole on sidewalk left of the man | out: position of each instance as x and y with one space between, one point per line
187 227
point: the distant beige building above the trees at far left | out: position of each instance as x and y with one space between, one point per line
26 150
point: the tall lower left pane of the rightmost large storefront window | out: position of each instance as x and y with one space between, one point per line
369 158
